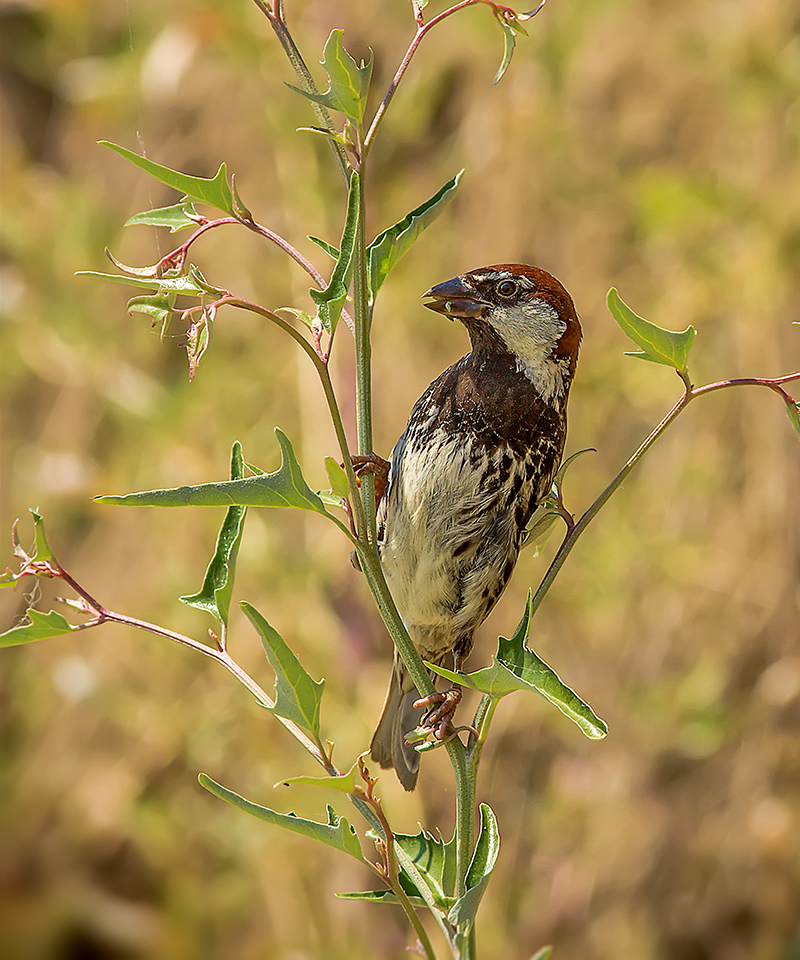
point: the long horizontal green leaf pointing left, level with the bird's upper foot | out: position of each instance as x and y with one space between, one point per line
284 488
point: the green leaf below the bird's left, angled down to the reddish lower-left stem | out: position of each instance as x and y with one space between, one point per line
297 694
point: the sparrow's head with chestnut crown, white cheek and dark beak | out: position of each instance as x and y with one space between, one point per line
517 309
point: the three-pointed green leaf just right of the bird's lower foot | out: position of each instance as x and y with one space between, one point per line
517 667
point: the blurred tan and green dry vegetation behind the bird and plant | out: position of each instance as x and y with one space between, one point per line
651 145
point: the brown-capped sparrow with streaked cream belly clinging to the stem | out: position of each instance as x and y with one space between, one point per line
481 449
